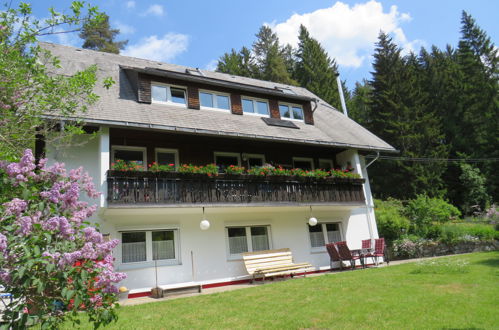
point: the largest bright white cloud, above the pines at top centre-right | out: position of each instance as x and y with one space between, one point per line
348 33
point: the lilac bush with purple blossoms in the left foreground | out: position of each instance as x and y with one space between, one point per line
51 260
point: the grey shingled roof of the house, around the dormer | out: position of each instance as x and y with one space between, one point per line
118 106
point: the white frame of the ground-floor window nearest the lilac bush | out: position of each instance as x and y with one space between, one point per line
149 262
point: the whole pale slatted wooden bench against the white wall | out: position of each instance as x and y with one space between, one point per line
268 263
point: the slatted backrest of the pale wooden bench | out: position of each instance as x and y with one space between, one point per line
266 259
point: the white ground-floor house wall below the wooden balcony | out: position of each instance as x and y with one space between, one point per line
288 229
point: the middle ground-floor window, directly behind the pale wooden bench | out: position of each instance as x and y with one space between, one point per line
247 239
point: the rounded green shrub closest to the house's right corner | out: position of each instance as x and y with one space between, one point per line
390 219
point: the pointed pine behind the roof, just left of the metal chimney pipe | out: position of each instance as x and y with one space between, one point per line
314 69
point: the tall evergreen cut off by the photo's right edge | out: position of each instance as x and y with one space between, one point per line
478 61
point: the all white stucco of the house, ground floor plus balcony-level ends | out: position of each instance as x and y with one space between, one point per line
288 225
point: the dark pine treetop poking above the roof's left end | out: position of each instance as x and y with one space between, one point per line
99 36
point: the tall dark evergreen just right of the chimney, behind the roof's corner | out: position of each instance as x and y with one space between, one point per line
398 114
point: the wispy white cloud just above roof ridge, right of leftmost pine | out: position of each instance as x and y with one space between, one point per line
159 49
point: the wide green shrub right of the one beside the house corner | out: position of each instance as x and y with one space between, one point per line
425 211
